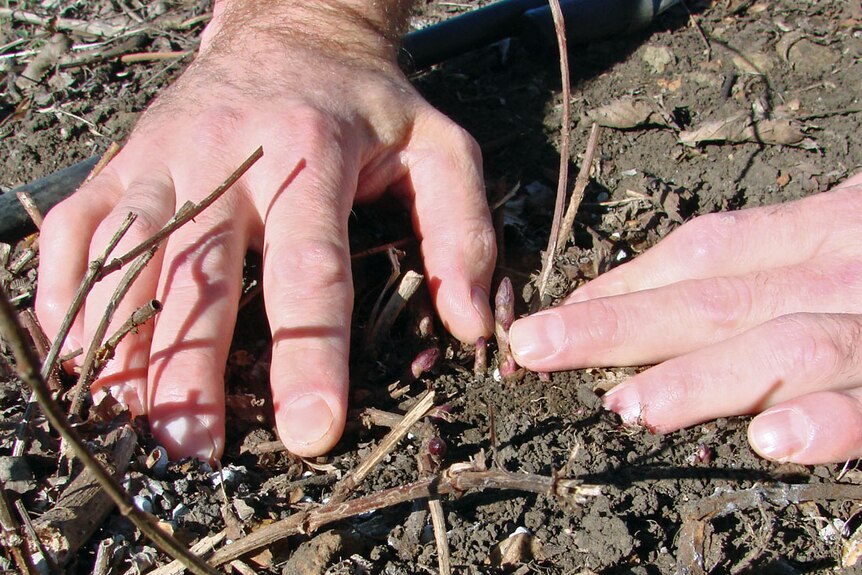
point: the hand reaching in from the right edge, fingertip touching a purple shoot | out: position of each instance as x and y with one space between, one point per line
756 311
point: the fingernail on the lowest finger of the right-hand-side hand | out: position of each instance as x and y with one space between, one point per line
779 434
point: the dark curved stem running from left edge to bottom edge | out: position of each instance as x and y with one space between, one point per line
28 371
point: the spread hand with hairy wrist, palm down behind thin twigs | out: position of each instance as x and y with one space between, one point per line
317 86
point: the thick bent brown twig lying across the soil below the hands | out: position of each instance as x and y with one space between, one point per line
456 480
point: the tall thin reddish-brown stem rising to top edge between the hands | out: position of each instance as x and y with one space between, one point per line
562 184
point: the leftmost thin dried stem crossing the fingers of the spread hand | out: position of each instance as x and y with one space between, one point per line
50 360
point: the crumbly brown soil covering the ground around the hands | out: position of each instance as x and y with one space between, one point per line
790 57
